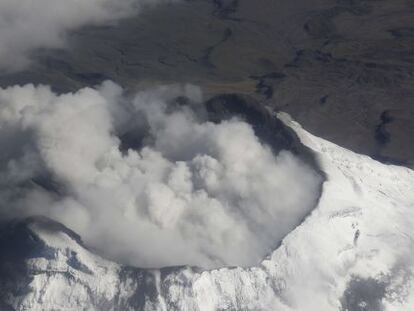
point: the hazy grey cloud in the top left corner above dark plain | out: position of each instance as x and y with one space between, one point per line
26 25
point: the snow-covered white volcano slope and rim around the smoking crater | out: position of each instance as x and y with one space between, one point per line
354 252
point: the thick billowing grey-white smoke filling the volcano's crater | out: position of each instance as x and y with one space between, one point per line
148 180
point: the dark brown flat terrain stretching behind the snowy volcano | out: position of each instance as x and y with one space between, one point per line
344 69
